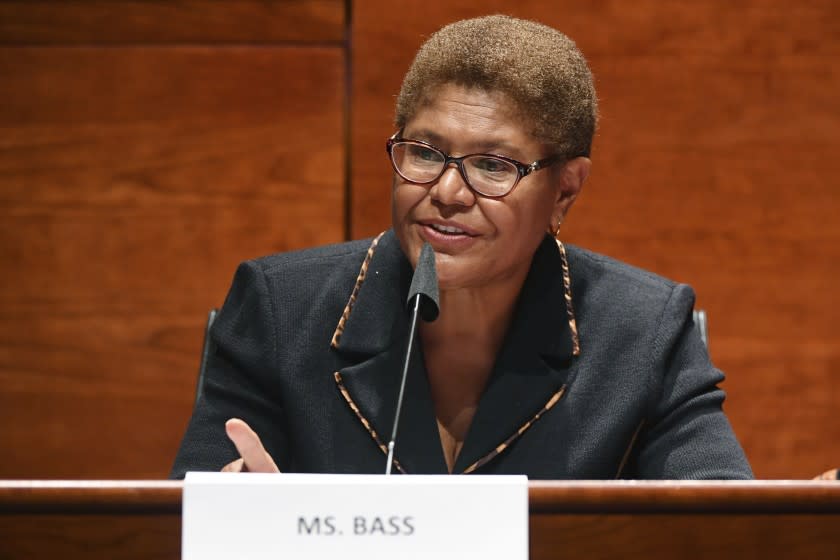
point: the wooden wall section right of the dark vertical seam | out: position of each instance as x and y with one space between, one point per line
715 164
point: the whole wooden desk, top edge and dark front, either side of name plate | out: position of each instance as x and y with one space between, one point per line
721 520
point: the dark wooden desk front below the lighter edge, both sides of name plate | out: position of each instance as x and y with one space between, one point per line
596 537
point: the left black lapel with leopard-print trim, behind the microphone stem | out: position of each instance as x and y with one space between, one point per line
373 335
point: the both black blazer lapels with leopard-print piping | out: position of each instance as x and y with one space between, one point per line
529 376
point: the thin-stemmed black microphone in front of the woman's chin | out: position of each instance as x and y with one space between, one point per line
423 301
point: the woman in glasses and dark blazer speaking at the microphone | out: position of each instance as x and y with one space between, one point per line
545 360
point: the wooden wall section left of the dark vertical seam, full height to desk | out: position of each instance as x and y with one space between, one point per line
145 149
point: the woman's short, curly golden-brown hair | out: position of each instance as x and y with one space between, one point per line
539 68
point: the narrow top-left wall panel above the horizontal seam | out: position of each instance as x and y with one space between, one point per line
100 22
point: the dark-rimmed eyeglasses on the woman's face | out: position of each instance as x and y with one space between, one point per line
487 174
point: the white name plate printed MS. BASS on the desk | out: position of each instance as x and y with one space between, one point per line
243 516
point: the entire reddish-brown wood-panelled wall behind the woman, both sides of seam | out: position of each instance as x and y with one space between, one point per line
147 147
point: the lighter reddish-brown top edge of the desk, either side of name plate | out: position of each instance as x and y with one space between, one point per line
545 497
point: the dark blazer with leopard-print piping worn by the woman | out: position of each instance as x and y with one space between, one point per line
309 348
